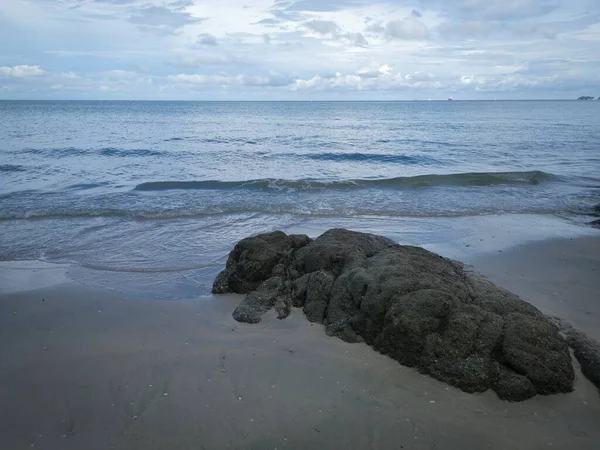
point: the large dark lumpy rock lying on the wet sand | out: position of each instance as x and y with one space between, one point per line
419 308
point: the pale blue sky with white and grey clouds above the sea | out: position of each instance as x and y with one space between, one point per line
299 49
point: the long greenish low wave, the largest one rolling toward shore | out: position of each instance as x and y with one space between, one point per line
420 181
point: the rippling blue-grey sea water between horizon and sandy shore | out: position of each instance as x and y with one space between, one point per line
154 194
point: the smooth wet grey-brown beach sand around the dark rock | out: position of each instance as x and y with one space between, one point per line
82 368
